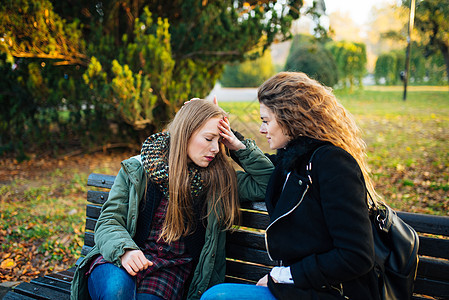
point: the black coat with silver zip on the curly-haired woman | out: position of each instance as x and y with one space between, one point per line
321 230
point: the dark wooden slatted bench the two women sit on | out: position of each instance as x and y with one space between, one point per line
247 259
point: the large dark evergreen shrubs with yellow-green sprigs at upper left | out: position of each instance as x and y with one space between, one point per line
117 71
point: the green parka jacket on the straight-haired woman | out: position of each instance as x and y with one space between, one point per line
120 213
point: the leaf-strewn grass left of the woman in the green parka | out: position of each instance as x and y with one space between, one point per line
43 204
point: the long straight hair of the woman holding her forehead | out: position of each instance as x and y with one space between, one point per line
219 178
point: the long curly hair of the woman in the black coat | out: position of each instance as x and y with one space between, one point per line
302 106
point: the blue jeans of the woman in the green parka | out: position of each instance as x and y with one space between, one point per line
108 281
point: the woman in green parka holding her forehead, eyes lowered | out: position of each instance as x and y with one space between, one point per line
161 233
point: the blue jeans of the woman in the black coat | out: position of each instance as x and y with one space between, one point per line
232 291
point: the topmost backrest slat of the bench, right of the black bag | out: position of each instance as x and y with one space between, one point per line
426 223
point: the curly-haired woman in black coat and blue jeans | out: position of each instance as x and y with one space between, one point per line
320 230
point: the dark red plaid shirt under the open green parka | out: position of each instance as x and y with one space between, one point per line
171 264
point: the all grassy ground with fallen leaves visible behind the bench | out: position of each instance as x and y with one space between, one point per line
43 199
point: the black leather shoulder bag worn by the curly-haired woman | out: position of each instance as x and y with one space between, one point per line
395 246
